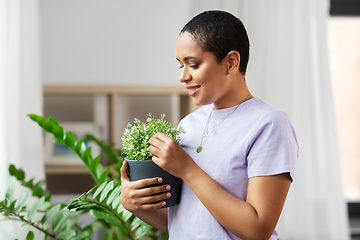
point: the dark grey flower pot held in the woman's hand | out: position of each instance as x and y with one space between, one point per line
140 169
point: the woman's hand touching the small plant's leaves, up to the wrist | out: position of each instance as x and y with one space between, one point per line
169 155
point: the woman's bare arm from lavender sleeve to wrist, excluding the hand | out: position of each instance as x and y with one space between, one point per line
255 218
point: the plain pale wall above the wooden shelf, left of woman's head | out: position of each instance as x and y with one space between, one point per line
111 41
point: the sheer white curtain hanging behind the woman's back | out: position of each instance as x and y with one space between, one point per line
289 69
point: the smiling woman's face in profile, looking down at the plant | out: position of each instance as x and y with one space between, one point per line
203 76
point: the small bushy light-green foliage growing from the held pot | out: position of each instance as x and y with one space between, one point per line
136 137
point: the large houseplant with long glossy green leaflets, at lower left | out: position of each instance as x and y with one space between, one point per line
61 221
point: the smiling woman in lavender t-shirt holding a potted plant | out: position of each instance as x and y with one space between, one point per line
238 154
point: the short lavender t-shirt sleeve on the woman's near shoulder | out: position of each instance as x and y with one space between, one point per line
274 148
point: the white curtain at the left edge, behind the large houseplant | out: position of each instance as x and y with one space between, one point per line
20 94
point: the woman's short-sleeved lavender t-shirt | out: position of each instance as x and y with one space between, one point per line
255 140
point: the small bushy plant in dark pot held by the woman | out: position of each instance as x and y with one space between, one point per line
135 147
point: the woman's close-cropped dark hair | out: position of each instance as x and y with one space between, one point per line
220 32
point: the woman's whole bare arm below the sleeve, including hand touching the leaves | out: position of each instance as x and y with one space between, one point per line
254 218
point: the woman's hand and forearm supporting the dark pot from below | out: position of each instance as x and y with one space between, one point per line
139 199
